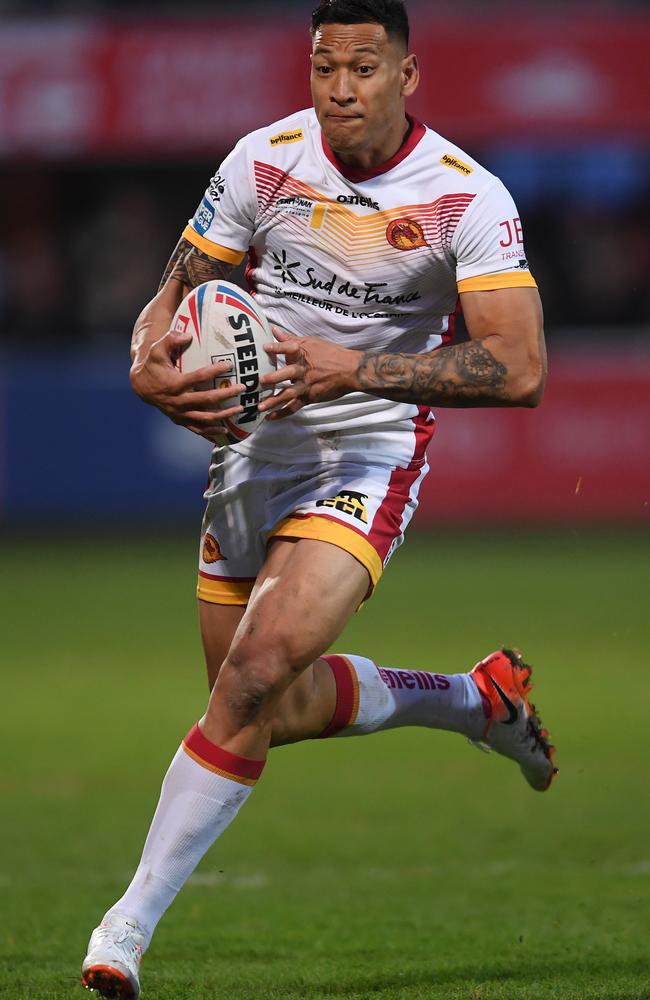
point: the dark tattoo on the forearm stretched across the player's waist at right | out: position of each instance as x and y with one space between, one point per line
463 375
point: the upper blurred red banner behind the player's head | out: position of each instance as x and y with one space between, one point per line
191 87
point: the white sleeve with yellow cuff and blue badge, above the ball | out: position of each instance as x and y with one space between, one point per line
224 222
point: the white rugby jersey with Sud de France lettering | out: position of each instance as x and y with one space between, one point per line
370 259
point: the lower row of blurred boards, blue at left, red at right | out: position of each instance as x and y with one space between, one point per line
582 456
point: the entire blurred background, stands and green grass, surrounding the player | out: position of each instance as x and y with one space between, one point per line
112 118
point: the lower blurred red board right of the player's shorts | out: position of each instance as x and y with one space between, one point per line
583 455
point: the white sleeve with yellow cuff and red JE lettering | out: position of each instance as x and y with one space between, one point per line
489 244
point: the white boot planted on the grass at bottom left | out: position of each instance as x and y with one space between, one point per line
112 964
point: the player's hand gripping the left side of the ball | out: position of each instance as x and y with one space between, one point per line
185 398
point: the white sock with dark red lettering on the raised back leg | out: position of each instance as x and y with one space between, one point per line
370 698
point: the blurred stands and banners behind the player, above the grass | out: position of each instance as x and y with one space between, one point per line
114 115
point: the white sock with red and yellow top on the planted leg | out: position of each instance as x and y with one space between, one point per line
202 792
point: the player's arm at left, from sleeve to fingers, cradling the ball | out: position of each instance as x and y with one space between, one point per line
155 349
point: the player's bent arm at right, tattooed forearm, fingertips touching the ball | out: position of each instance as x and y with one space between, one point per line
502 364
